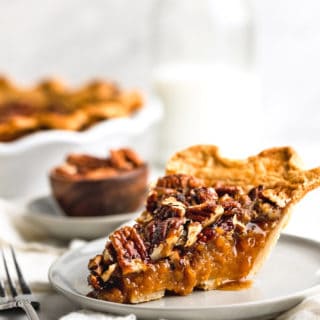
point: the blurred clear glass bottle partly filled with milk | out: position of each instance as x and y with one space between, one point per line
203 74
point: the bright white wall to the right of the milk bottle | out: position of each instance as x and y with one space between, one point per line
288 52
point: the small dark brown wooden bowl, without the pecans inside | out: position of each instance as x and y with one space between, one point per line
106 196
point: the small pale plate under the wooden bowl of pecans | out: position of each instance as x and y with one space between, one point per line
44 213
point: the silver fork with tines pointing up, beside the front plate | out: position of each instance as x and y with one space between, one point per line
9 297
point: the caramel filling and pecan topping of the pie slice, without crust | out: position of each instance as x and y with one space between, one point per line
190 236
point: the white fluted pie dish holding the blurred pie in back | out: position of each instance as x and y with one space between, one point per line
25 163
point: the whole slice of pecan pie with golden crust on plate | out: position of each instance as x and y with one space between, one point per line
209 222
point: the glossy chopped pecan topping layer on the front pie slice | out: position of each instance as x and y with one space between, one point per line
181 216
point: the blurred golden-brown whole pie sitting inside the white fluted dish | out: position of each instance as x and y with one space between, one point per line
52 105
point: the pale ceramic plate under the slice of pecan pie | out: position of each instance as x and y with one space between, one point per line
291 273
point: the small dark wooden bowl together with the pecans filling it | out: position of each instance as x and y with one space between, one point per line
89 186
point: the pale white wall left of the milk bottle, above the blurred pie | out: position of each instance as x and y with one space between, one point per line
76 39
